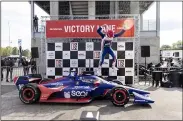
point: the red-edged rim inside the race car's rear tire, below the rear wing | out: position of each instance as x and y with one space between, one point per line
28 94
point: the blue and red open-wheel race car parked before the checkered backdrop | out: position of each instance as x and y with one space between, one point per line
82 88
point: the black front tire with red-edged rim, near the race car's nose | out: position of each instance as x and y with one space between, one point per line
119 96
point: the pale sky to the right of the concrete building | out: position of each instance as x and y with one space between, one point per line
170 21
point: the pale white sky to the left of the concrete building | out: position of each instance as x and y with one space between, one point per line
17 14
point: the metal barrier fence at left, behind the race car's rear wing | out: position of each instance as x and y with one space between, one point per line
8 73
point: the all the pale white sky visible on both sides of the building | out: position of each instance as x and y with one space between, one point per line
16 18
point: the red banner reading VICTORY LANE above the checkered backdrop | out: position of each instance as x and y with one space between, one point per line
85 28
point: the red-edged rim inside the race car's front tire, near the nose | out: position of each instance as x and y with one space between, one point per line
119 96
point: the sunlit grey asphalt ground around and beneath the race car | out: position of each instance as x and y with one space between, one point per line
167 106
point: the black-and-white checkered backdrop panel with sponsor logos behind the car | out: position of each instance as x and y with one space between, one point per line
61 57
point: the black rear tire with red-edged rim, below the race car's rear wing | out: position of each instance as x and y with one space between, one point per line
29 94
